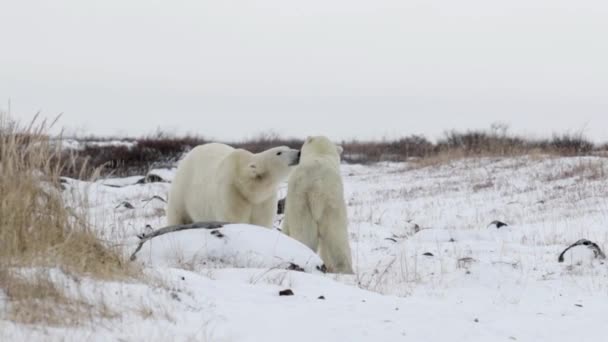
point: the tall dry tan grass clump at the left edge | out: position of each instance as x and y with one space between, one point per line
38 231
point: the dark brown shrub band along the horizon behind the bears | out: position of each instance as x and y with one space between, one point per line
162 150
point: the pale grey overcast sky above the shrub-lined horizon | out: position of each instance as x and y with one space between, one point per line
230 69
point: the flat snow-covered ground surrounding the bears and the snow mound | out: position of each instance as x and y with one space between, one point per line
428 264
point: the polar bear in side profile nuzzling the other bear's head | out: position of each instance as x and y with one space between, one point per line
216 182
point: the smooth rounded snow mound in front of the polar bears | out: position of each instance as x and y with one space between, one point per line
234 245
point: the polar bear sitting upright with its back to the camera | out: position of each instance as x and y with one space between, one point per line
315 211
